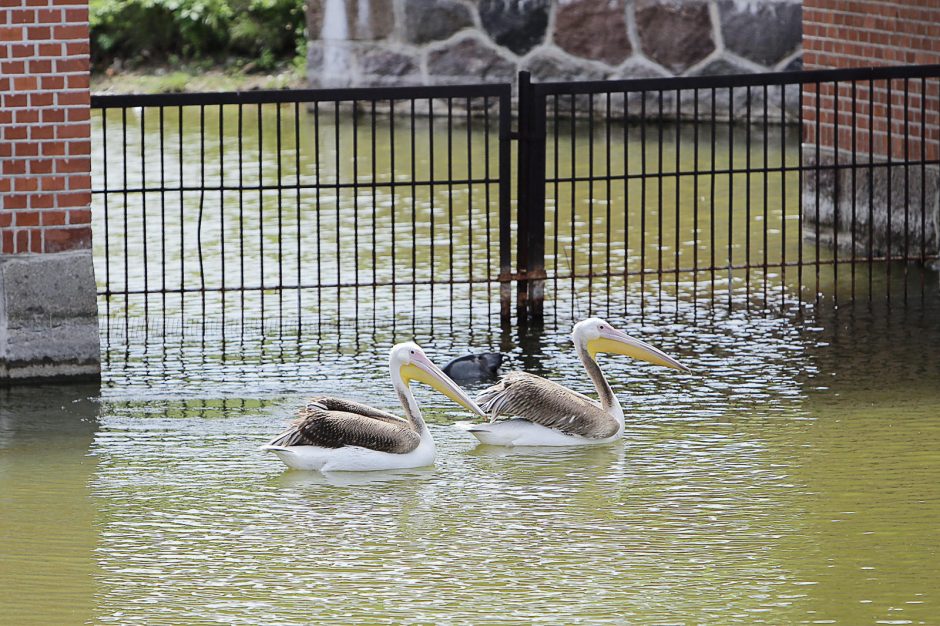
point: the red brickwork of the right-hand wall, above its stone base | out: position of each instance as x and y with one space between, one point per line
865 33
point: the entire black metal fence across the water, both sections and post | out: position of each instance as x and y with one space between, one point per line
716 189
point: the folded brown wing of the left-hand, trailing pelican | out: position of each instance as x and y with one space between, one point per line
334 429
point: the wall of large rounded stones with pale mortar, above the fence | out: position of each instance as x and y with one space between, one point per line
433 42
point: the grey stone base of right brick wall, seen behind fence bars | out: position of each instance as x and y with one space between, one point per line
881 196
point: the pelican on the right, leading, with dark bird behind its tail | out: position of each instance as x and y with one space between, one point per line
544 413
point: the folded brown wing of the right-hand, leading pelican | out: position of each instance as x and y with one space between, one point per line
546 403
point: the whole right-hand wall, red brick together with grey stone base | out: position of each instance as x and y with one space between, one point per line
865 33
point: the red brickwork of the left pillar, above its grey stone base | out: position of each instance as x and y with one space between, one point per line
45 146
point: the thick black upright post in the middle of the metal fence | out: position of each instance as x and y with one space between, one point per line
530 252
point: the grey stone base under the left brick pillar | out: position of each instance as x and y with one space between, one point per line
48 317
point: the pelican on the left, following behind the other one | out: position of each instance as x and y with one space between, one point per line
332 434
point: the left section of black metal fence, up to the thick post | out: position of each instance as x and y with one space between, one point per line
293 201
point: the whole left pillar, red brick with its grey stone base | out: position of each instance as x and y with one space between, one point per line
48 311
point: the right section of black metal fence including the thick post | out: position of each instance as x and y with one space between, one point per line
723 188
